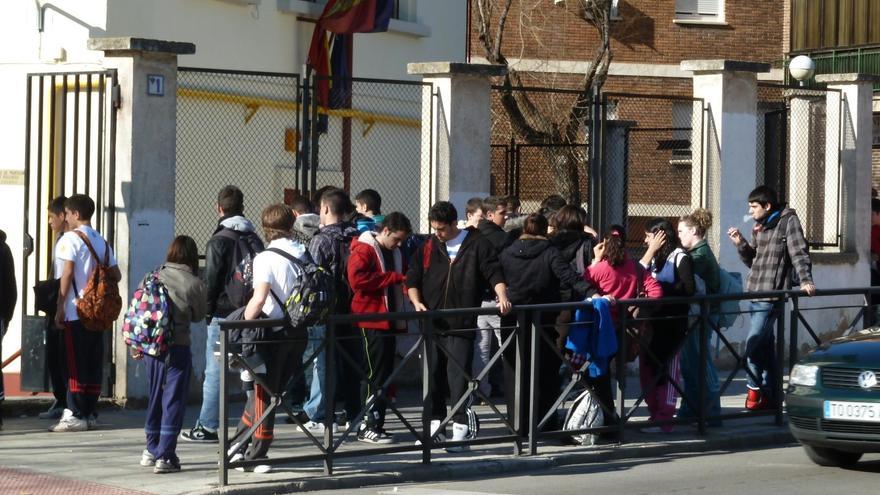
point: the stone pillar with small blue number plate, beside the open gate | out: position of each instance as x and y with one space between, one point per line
146 140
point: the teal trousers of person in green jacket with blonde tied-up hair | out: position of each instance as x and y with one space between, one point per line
690 373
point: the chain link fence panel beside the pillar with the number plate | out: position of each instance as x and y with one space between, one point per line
233 127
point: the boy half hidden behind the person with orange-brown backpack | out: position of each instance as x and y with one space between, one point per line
56 363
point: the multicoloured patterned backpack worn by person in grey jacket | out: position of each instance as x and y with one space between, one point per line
148 325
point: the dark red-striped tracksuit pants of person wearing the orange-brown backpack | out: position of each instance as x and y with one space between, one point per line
85 368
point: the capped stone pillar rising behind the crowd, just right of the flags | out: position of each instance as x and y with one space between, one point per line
455 154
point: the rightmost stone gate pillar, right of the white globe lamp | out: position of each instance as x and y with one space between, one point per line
851 136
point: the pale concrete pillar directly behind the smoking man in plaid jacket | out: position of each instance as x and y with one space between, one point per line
728 89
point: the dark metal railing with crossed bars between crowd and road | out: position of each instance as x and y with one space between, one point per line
524 331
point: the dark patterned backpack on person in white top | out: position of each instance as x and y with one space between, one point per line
313 298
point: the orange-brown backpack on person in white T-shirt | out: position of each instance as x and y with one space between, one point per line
100 303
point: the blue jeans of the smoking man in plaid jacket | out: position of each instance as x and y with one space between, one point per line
760 346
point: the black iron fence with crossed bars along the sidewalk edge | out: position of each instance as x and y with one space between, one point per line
527 344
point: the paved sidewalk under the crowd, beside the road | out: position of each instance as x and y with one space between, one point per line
109 455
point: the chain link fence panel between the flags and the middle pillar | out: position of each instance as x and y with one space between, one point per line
375 142
